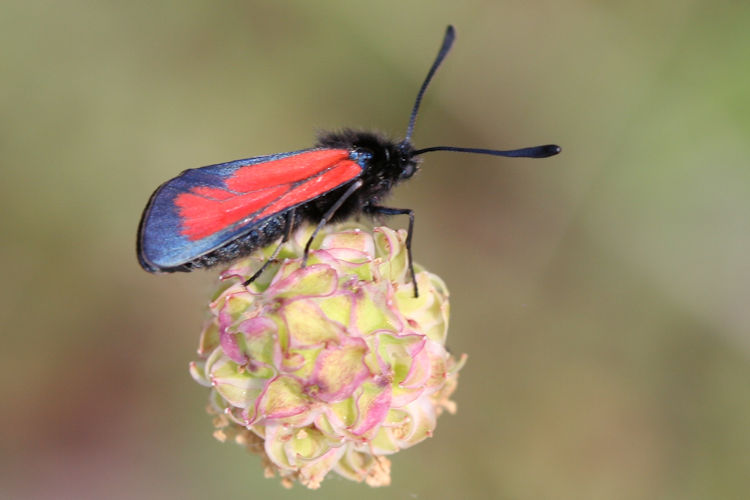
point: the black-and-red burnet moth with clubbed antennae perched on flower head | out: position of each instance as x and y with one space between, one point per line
215 214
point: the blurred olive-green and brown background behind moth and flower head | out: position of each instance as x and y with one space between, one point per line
602 295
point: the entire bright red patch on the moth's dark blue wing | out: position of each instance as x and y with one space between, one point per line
262 190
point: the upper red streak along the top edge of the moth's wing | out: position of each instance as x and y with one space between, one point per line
285 170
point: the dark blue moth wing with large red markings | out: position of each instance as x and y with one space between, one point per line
205 208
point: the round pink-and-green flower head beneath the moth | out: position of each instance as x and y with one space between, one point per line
330 366
